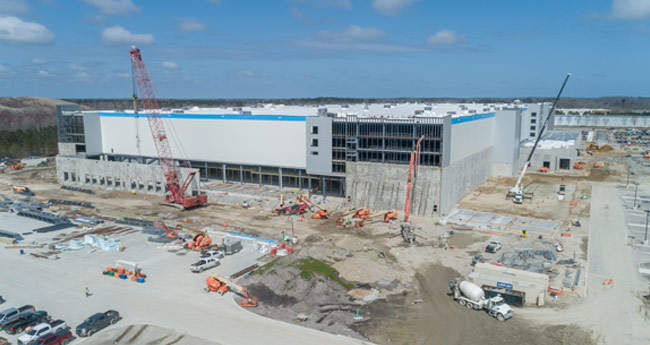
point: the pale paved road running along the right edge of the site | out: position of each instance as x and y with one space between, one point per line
613 312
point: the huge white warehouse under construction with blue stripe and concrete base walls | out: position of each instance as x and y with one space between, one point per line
357 151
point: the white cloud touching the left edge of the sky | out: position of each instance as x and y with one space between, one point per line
15 30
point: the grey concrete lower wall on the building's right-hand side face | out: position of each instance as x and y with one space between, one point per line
461 177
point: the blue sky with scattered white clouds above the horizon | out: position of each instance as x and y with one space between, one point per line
312 48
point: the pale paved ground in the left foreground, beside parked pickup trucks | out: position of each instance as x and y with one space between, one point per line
168 299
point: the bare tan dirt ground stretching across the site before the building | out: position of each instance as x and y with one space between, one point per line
413 305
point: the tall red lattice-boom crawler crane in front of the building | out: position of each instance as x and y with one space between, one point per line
161 141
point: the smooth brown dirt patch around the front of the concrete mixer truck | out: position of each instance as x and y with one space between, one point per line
431 316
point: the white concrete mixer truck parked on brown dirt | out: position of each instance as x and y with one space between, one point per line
472 296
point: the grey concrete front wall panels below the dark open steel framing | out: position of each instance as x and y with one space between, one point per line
383 187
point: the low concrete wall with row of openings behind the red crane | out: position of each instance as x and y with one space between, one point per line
144 179
